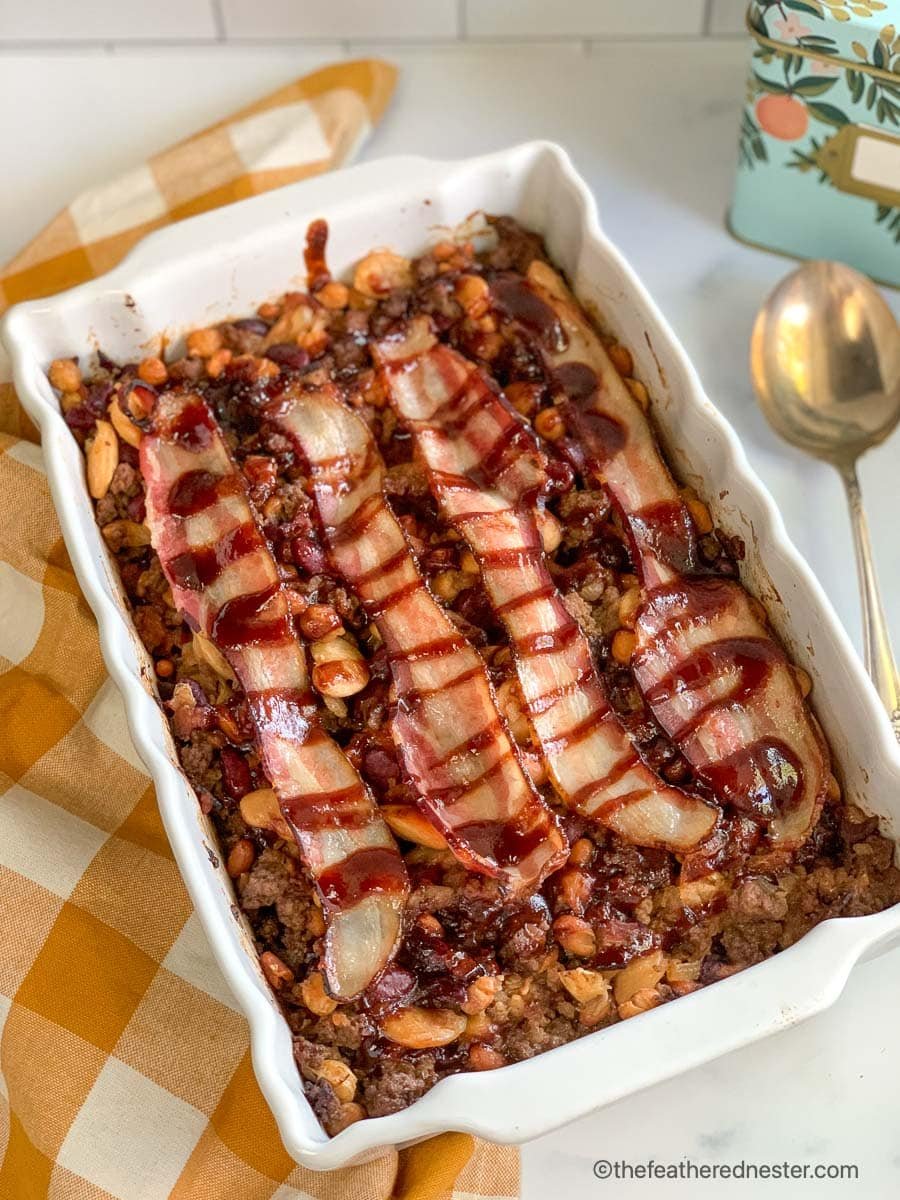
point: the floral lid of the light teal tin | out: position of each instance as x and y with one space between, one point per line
862 33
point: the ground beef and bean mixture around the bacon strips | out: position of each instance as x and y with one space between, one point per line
616 932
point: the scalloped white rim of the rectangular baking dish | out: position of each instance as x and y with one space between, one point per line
508 1105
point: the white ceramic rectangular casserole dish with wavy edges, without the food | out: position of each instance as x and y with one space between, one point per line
230 261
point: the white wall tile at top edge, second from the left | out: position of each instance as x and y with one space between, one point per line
393 20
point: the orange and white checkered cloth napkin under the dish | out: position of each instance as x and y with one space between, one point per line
124 1063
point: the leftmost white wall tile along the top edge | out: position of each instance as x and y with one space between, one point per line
107 21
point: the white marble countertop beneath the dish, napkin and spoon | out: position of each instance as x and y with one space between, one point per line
653 128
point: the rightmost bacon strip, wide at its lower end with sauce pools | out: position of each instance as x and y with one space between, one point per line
711 673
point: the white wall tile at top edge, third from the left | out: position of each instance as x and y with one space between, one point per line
583 19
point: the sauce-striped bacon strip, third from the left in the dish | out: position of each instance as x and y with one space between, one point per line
487 472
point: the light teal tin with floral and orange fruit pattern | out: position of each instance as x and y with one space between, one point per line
819 171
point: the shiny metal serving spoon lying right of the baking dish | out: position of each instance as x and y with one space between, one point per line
825 359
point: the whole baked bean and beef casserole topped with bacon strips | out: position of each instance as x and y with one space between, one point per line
499 748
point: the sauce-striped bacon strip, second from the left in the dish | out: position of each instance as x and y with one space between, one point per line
447 729
